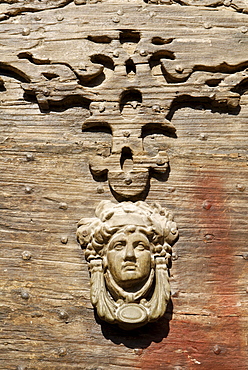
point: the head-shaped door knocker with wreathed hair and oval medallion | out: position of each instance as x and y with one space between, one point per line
129 276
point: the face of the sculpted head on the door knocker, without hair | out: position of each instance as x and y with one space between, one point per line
129 258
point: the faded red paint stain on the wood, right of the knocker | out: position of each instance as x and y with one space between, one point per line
190 345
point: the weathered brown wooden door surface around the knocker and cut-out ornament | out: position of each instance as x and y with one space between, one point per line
47 321
